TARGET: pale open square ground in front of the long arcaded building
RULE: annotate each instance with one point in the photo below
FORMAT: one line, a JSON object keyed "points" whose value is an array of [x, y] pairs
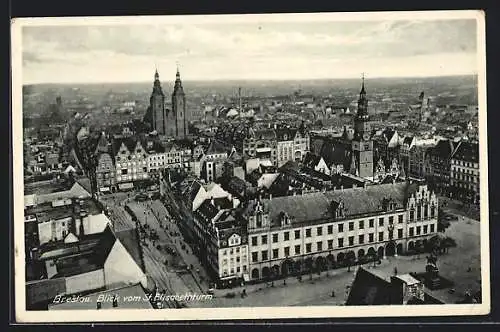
{"points": [[462, 265]]}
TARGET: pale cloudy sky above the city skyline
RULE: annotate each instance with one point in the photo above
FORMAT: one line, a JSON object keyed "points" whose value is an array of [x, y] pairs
{"points": [[248, 50]]}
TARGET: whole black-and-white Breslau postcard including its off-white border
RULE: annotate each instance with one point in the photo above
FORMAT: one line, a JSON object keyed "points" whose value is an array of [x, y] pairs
{"points": [[226, 167]]}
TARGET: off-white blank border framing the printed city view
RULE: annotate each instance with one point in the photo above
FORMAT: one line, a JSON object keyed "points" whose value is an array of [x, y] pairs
{"points": [[192, 314]]}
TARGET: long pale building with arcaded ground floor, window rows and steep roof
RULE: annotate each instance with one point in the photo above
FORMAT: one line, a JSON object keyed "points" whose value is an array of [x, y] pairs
{"points": [[294, 234]]}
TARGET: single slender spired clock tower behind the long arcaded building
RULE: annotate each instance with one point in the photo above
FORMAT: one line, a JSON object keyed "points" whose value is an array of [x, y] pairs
{"points": [[362, 145]]}
